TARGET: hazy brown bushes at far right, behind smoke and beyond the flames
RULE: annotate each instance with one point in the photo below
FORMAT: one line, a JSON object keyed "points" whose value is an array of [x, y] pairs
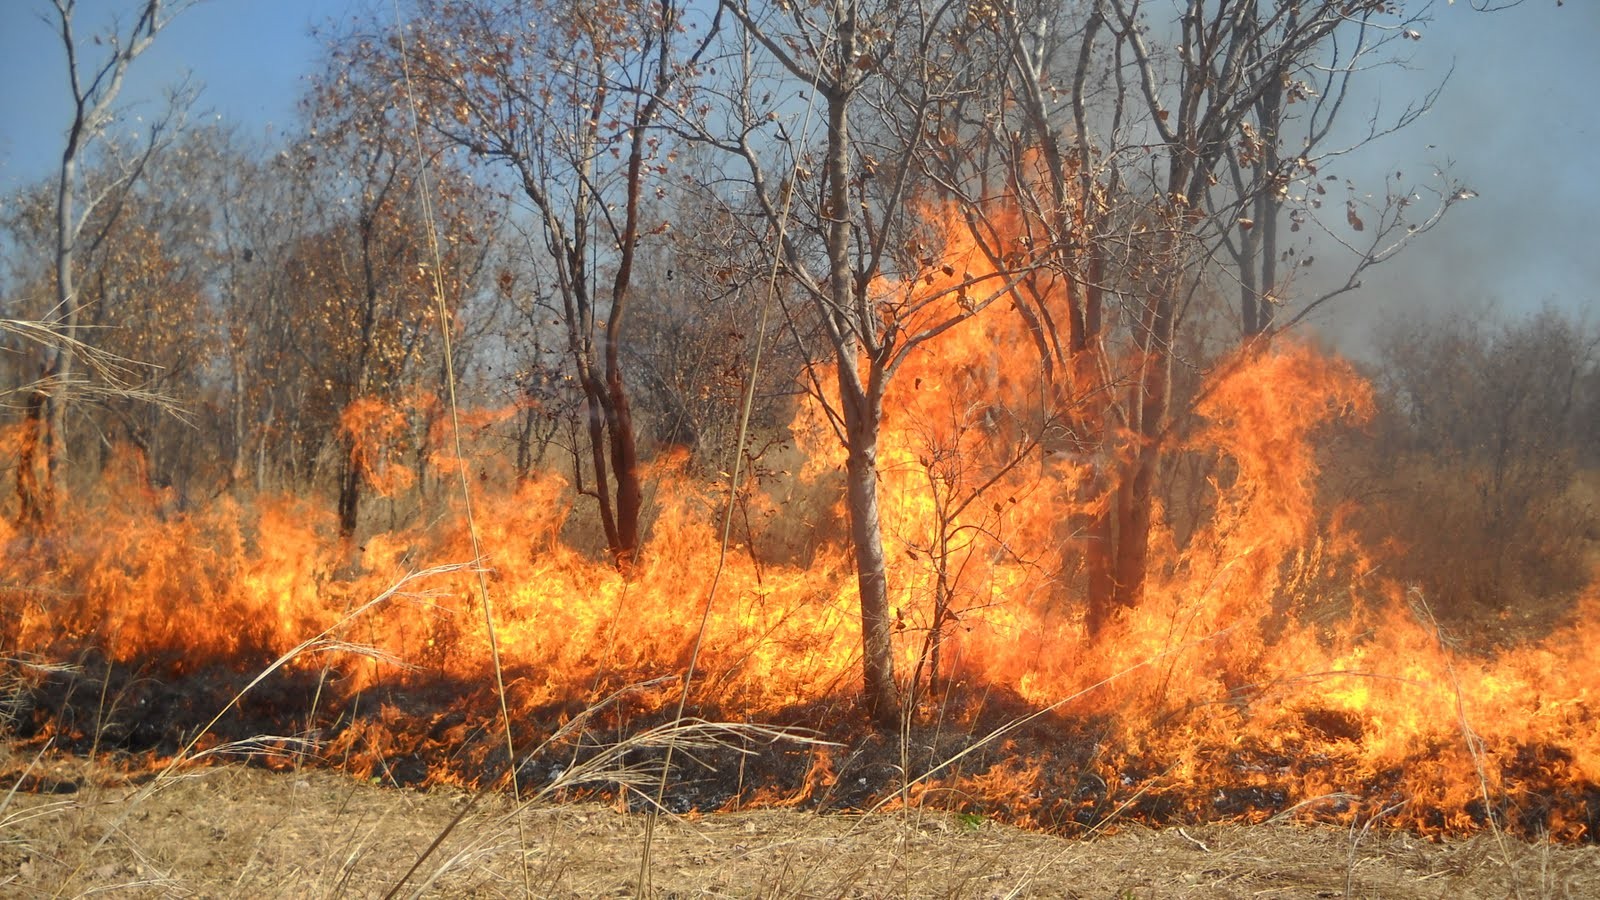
{"points": [[1484, 435]]}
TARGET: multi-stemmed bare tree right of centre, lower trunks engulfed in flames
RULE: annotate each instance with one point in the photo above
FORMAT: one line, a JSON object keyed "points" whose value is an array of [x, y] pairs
{"points": [[1134, 151]]}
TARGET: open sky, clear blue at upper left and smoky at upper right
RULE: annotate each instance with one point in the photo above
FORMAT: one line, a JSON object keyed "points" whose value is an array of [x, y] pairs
{"points": [[1518, 124]]}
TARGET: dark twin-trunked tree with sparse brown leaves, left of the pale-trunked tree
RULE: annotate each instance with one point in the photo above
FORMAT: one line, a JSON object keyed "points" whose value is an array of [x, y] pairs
{"points": [[567, 98]]}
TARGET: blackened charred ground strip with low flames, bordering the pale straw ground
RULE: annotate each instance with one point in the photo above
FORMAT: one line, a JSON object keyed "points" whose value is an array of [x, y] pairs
{"points": [[1054, 773]]}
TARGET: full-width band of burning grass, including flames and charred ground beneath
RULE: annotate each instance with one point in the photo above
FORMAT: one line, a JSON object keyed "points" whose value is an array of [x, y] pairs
{"points": [[1270, 673]]}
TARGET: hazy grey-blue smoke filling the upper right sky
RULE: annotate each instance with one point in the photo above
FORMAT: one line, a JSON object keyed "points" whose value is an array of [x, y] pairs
{"points": [[1516, 124]]}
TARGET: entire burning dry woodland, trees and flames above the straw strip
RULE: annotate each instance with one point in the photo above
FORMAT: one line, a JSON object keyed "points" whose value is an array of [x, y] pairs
{"points": [[831, 404]]}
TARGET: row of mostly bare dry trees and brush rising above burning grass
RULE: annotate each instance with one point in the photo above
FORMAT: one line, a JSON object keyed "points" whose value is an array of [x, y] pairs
{"points": [[606, 212]]}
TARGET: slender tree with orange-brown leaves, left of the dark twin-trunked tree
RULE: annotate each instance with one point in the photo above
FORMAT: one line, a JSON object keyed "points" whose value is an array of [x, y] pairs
{"points": [[369, 273]]}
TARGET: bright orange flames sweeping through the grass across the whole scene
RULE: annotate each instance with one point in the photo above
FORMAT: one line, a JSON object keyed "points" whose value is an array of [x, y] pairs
{"points": [[1268, 665]]}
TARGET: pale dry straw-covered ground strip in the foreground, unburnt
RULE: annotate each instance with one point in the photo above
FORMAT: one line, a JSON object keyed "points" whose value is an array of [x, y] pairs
{"points": [[70, 829]]}
